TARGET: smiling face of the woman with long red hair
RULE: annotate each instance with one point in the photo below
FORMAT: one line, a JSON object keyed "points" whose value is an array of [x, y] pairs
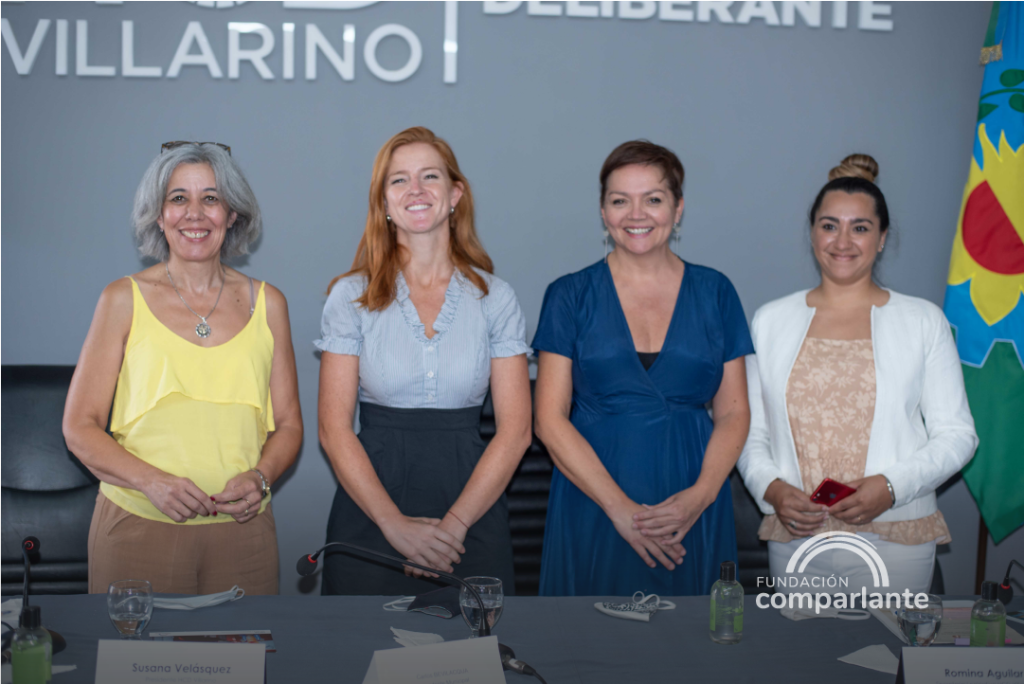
{"points": [[418, 193]]}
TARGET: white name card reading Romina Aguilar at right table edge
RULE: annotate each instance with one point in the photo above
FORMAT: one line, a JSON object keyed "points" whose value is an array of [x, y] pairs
{"points": [[959, 665]]}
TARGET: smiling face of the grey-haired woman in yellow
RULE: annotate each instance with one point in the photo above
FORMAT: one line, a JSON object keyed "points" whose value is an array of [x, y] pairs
{"points": [[195, 219]]}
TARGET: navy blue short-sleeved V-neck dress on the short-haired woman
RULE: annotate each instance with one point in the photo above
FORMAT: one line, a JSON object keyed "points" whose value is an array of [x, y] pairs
{"points": [[650, 429]]}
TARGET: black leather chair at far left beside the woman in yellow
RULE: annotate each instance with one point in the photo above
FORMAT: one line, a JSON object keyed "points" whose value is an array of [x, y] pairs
{"points": [[47, 492]]}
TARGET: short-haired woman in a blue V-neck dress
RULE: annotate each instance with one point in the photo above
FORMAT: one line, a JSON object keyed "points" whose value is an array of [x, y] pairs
{"points": [[632, 350]]}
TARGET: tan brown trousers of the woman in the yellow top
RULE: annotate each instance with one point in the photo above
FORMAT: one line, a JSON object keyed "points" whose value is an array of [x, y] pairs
{"points": [[180, 559]]}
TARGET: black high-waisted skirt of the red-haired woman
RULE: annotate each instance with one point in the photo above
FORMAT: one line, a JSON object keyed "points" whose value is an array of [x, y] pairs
{"points": [[424, 458]]}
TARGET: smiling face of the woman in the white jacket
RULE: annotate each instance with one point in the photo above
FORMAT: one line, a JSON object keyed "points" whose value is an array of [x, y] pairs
{"points": [[847, 237]]}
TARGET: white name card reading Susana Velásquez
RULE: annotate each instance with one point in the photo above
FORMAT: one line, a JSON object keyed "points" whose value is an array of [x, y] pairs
{"points": [[179, 663]]}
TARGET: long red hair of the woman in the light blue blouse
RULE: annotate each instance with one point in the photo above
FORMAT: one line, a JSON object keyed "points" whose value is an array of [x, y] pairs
{"points": [[378, 258]]}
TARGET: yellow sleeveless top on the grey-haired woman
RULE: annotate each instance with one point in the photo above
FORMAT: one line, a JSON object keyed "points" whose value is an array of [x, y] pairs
{"points": [[201, 413]]}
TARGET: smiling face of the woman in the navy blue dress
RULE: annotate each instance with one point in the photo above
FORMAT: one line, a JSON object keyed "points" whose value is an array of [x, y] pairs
{"points": [[639, 209]]}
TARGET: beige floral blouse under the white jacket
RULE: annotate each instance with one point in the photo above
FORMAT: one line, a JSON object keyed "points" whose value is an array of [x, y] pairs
{"points": [[831, 400]]}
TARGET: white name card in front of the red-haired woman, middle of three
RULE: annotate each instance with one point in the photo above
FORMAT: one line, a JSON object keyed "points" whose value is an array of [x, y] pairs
{"points": [[466, 662]]}
